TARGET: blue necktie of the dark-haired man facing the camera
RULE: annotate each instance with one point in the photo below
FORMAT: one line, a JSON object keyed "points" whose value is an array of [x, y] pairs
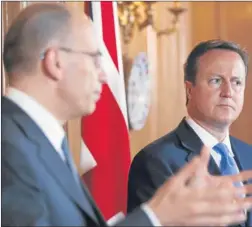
{"points": [[227, 165]]}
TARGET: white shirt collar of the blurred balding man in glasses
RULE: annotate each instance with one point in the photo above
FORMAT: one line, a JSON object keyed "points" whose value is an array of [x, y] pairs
{"points": [[42, 117]]}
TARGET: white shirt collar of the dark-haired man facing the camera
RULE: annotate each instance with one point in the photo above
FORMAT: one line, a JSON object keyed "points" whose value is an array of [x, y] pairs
{"points": [[207, 138]]}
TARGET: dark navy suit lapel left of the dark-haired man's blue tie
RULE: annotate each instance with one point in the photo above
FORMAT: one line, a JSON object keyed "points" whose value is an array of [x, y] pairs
{"points": [[193, 145]]}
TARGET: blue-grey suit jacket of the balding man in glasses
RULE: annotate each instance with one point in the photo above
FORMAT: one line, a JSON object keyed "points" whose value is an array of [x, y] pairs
{"points": [[37, 187]]}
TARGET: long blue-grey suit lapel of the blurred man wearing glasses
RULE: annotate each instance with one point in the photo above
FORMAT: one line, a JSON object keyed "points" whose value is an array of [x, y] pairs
{"points": [[49, 156]]}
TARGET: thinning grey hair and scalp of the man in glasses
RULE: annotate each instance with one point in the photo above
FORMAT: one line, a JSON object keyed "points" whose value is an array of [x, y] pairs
{"points": [[31, 32]]}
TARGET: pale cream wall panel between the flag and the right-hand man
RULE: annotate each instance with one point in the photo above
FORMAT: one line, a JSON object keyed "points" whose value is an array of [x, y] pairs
{"points": [[168, 97]]}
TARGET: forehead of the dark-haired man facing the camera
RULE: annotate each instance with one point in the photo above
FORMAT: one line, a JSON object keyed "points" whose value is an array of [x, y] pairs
{"points": [[221, 60]]}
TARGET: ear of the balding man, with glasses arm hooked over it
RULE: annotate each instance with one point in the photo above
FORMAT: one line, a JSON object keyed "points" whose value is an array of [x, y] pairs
{"points": [[51, 64]]}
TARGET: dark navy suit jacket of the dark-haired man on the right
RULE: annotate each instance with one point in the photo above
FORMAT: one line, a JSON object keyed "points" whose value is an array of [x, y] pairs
{"points": [[164, 157]]}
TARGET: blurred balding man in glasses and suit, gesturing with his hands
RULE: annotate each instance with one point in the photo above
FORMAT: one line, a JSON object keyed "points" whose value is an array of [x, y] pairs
{"points": [[52, 60]]}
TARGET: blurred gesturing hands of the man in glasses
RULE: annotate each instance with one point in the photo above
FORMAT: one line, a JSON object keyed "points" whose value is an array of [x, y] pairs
{"points": [[195, 198]]}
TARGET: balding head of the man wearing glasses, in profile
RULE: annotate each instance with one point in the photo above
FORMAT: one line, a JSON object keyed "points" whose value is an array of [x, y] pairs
{"points": [[52, 54]]}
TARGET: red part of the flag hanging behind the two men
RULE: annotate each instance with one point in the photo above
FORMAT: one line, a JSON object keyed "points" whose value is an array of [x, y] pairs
{"points": [[106, 135]]}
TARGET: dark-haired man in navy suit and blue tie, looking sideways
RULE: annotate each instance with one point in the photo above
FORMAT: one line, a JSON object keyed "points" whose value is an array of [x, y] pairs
{"points": [[215, 76]]}
